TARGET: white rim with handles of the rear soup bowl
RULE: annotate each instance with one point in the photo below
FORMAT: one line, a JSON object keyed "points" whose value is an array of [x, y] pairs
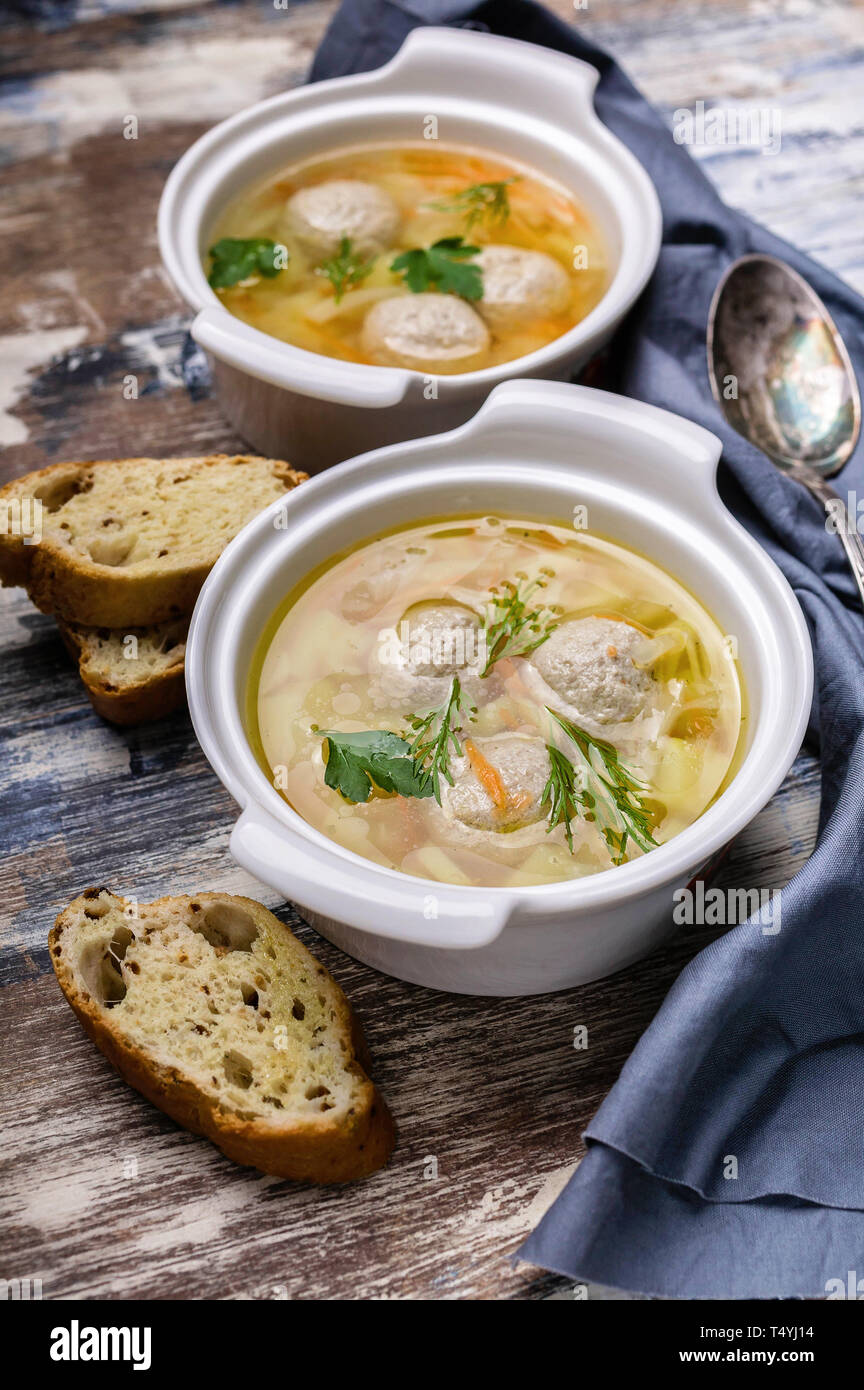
{"points": [[208, 162]]}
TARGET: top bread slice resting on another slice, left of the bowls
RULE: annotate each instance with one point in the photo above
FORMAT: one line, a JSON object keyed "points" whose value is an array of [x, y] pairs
{"points": [[128, 543]]}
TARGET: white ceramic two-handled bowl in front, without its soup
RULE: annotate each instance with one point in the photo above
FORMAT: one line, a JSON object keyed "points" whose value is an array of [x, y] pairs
{"points": [[535, 448]]}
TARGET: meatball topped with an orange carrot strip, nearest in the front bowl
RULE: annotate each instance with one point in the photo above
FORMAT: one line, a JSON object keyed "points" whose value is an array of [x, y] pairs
{"points": [[520, 768]]}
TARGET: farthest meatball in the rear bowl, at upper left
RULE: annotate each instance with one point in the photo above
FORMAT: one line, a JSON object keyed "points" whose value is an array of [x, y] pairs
{"points": [[323, 215]]}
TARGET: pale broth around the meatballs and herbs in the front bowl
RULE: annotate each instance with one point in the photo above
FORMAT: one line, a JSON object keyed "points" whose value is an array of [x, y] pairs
{"points": [[316, 669]]}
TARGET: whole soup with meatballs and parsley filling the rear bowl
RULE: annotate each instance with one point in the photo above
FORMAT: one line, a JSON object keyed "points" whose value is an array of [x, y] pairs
{"points": [[416, 255]]}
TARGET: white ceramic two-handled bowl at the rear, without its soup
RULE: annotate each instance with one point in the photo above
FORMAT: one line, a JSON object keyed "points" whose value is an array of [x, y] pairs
{"points": [[529, 104]]}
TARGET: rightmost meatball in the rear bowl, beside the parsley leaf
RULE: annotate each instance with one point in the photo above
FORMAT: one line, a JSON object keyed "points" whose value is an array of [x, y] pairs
{"points": [[520, 286]]}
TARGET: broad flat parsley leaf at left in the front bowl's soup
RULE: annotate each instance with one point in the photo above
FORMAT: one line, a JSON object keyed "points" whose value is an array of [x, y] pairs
{"points": [[358, 764]]}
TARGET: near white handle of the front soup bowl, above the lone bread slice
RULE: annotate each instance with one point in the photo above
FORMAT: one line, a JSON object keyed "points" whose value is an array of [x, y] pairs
{"points": [[385, 904]]}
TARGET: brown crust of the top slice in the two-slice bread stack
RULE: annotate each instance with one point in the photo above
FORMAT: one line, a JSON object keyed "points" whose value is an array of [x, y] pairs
{"points": [[73, 586]]}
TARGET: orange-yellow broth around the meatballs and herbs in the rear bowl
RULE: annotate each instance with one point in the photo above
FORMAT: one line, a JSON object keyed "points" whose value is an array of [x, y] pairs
{"points": [[299, 305]]}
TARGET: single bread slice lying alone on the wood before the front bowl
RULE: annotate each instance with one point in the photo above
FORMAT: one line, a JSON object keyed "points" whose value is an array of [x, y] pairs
{"points": [[219, 1015]]}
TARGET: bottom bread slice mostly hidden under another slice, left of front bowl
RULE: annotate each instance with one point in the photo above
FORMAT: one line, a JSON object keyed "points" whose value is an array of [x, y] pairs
{"points": [[131, 678]]}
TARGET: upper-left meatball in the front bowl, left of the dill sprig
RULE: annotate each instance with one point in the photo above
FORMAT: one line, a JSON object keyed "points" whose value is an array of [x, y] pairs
{"points": [[435, 643]]}
